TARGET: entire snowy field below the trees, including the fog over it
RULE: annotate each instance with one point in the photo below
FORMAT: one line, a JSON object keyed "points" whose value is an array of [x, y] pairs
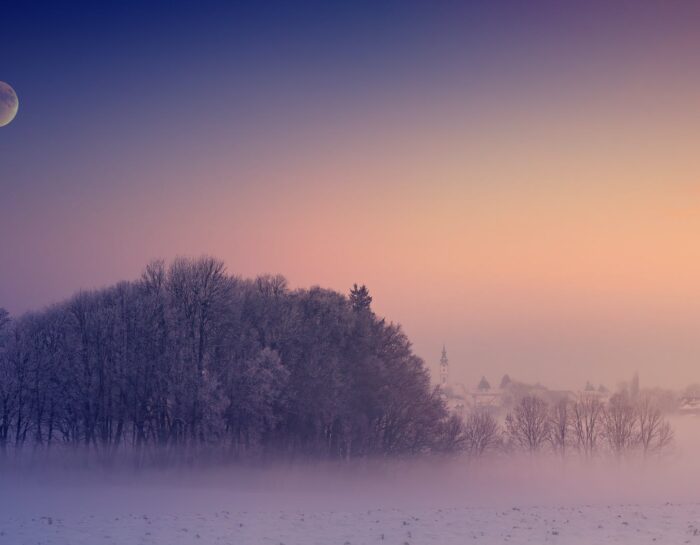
{"points": [[434, 502]]}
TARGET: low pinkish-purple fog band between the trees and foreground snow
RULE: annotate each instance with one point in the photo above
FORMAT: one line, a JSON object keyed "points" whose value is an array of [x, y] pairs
{"points": [[429, 483]]}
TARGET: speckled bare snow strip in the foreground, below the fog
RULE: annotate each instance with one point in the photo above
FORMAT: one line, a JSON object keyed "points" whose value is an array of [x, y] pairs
{"points": [[626, 524]]}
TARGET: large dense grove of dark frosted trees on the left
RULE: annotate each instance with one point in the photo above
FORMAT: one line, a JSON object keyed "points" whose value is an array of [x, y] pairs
{"points": [[189, 358]]}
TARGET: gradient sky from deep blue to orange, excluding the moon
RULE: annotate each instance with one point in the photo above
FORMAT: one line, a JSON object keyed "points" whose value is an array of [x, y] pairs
{"points": [[518, 181]]}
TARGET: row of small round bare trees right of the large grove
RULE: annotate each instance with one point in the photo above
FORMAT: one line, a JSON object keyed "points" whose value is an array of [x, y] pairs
{"points": [[587, 426]]}
